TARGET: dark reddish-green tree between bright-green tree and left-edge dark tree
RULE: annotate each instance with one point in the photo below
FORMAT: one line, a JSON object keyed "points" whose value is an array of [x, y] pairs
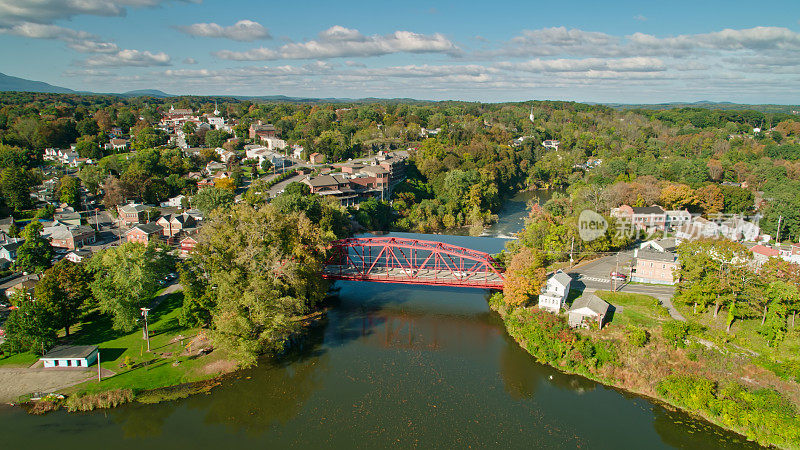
{"points": [[63, 291]]}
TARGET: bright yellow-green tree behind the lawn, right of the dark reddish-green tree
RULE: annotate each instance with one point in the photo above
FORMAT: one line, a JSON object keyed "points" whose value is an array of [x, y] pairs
{"points": [[127, 278]]}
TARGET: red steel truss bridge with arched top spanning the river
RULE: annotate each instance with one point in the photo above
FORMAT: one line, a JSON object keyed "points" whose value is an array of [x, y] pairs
{"points": [[411, 261]]}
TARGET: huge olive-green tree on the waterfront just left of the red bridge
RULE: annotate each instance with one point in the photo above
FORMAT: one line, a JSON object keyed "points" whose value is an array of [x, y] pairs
{"points": [[264, 268]]}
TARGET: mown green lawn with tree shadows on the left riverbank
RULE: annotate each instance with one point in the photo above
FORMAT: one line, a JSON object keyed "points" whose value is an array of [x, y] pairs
{"points": [[179, 356]]}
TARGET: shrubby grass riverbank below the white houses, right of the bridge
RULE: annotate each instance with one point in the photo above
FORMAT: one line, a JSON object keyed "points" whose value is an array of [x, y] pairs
{"points": [[687, 366]]}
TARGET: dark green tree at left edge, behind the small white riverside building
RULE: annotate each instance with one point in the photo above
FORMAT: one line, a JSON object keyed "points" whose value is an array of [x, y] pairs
{"points": [[29, 327]]}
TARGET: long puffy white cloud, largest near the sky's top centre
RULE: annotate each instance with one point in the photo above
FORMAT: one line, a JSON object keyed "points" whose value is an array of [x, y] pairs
{"points": [[339, 41]]}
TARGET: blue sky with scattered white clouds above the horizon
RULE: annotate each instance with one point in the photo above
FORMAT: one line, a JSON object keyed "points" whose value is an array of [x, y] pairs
{"points": [[620, 51]]}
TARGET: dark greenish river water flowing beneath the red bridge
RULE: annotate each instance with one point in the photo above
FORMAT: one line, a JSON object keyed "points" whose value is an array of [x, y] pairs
{"points": [[392, 365]]}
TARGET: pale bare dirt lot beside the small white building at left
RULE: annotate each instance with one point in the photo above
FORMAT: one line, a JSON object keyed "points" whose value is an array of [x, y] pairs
{"points": [[15, 382]]}
